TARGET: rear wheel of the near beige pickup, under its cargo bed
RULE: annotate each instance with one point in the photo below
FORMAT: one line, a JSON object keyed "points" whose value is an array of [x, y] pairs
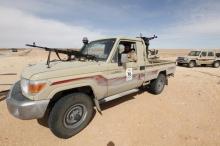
{"points": [[157, 85]]}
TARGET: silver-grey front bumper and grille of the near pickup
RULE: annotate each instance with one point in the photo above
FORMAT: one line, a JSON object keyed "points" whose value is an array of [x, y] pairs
{"points": [[22, 107]]}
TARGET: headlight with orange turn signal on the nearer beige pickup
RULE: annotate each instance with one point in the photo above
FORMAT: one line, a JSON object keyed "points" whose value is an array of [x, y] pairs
{"points": [[29, 87]]}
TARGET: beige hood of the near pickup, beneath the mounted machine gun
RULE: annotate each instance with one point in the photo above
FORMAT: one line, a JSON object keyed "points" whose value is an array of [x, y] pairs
{"points": [[60, 69]]}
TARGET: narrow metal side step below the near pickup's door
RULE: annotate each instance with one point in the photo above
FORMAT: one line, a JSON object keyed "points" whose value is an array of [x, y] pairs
{"points": [[118, 95]]}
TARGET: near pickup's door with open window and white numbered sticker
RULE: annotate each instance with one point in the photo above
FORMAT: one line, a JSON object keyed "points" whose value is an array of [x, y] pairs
{"points": [[126, 75]]}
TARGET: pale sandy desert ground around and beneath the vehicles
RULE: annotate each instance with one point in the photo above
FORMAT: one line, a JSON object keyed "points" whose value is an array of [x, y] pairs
{"points": [[186, 113]]}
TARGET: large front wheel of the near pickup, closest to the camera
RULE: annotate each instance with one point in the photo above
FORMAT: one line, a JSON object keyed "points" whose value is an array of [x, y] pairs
{"points": [[71, 114]]}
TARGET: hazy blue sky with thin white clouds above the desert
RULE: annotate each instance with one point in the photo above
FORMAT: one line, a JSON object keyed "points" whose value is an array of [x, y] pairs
{"points": [[56, 23]]}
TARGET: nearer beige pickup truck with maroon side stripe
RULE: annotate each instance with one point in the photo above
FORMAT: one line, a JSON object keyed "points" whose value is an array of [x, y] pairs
{"points": [[65, 92]]}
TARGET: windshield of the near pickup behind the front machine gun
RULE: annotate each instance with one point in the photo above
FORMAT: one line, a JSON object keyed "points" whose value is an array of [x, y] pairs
{"points": [[100, 49]]}
